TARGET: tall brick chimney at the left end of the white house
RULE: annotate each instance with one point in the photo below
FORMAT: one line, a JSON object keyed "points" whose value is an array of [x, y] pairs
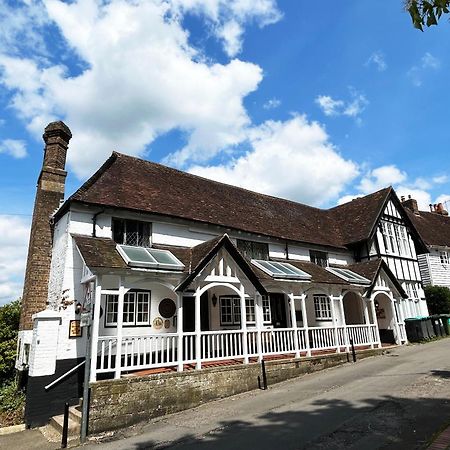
{"points": [[49, 194]]}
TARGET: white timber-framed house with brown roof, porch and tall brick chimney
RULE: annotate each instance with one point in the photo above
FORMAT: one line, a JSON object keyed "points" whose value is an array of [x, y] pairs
{"points": [[168, 269]]}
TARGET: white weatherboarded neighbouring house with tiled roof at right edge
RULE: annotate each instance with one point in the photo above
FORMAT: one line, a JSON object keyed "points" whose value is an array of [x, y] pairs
{"points": [[434, 228]]}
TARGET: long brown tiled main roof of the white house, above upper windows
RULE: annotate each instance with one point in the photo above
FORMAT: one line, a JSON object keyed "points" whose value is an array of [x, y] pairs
{"points": [[135, 184]]}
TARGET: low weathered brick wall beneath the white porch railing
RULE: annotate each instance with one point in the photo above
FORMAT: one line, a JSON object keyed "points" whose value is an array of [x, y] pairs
{"points": [[121, 403]]}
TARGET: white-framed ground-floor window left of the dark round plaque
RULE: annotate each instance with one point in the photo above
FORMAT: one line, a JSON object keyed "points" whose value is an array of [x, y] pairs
{"points": [[136, 308]]}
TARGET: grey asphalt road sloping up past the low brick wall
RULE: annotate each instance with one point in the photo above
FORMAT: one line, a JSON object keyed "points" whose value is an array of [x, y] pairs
{"points": [[396, 401]]}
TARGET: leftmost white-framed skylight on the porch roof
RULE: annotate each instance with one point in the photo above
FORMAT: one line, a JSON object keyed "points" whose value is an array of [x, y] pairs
{"points": [[149, 257]]}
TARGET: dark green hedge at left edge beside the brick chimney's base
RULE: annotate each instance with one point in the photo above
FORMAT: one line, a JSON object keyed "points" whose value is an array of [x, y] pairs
{"points": [[9, 328]]}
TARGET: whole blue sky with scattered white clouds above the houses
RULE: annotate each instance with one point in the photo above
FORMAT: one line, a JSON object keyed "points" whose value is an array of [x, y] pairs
{"points": [[317, 102]]}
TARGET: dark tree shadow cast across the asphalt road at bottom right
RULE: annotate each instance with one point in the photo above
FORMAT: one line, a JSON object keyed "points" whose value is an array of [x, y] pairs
{"points": [[386, 422]]}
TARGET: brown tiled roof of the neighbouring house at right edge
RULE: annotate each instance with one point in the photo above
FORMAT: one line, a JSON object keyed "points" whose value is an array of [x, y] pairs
{"points": [[433, 228]]}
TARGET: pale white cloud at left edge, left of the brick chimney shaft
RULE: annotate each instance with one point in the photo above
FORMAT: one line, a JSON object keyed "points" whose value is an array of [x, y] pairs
{"points": [[14, 233]]}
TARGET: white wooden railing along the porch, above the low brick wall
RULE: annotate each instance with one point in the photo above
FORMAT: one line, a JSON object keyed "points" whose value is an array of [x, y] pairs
{"points": [[161, 350]]}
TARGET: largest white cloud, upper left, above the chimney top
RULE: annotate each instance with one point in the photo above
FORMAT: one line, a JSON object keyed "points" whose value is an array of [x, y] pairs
{"points": [[137, 56]]}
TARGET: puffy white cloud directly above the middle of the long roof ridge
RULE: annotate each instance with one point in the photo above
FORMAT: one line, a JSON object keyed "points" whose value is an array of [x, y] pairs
{"points": [[292, 159]]}
